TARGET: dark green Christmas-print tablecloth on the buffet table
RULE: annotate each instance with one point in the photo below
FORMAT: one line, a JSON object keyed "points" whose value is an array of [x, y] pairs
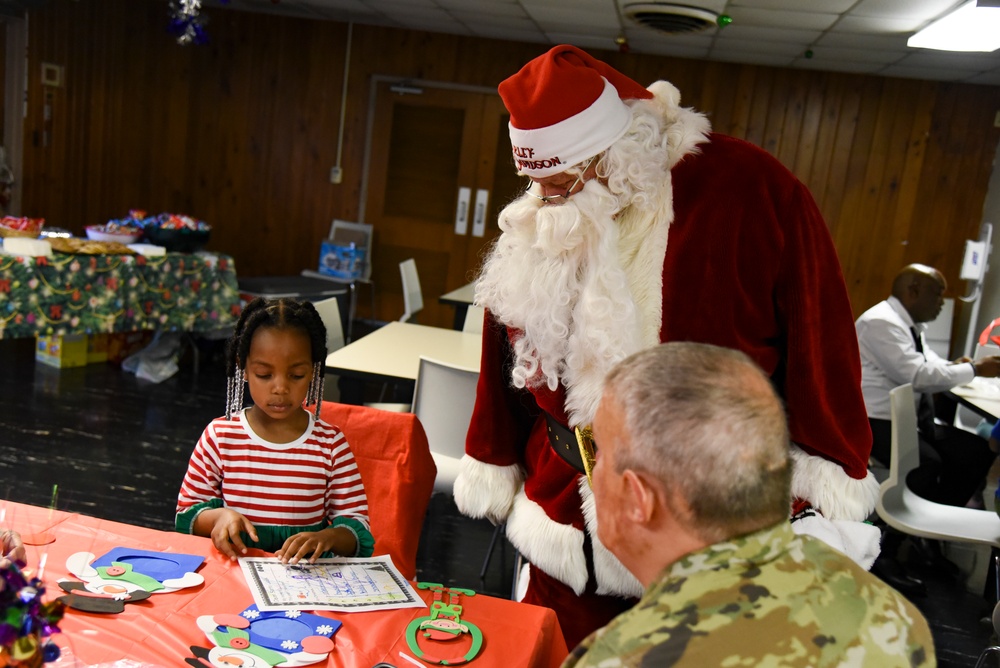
{"points": [[86, 294]]}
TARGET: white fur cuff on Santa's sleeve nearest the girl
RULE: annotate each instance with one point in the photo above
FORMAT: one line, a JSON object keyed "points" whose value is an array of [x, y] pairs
{"points": [[486, 490]]}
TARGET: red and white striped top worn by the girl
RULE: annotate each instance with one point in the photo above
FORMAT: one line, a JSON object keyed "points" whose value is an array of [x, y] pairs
{"points": [[300, 483]]}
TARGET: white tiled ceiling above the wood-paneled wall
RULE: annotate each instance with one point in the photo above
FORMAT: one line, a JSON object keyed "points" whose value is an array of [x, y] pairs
{"points": [[844, 35]]}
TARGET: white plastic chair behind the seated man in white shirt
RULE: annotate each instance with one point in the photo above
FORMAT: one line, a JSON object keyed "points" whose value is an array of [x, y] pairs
{"points": [[903, 510]]}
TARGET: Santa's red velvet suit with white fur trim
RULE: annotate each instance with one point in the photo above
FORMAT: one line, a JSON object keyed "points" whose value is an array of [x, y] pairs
{"points": [[749, 265]]}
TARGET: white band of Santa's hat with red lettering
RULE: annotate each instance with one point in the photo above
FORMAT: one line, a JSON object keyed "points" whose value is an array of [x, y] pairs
{"points": [[541, 152]]}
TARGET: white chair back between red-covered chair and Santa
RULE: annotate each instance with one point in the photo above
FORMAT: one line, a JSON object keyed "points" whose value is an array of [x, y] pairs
{"points": [[443, 400]]}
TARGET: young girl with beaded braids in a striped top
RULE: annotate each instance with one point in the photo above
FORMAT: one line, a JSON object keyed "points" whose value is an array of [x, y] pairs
{"points": [[275, 476]]}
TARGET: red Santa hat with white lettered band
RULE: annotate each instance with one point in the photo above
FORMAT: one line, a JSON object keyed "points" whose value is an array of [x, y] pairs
{"points": [[565, 107]]}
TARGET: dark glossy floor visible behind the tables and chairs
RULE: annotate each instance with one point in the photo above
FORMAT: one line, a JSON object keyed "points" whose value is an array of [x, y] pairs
{"points": [[117, 448]]}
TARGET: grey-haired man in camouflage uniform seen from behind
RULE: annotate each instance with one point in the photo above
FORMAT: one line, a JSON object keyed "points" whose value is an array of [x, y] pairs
{"points": [[703, 525]]}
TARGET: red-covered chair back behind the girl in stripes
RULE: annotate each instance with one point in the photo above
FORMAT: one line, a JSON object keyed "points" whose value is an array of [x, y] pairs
{"points": [[398, 473]]}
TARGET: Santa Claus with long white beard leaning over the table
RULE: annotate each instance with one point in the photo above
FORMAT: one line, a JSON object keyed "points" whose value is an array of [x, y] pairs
{"points": [[641, 226]]}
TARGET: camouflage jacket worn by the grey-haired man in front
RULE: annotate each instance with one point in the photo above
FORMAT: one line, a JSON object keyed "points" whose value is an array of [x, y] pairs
{"points": [[770, 598]]}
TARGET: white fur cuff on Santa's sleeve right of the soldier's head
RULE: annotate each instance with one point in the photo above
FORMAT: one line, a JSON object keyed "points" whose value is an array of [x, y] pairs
{"points": [[830, 490]]}
